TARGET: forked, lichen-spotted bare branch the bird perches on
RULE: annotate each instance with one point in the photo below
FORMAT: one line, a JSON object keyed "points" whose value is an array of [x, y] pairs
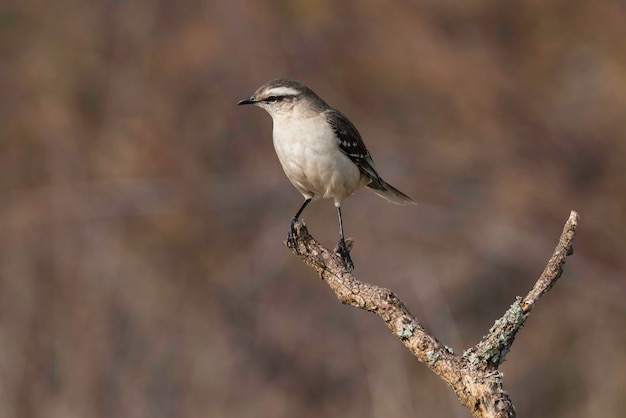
{"points": [[473, 376]]}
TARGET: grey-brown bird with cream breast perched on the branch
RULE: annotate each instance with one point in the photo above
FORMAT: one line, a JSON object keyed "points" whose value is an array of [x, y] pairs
{"points": [[320, 150]]}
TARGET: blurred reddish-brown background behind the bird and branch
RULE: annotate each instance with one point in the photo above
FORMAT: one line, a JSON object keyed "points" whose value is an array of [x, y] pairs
{"points": [[142, 213]]}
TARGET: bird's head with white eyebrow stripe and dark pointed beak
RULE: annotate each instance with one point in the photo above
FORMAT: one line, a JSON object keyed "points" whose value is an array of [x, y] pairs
{"points": [[283, 97]]}
